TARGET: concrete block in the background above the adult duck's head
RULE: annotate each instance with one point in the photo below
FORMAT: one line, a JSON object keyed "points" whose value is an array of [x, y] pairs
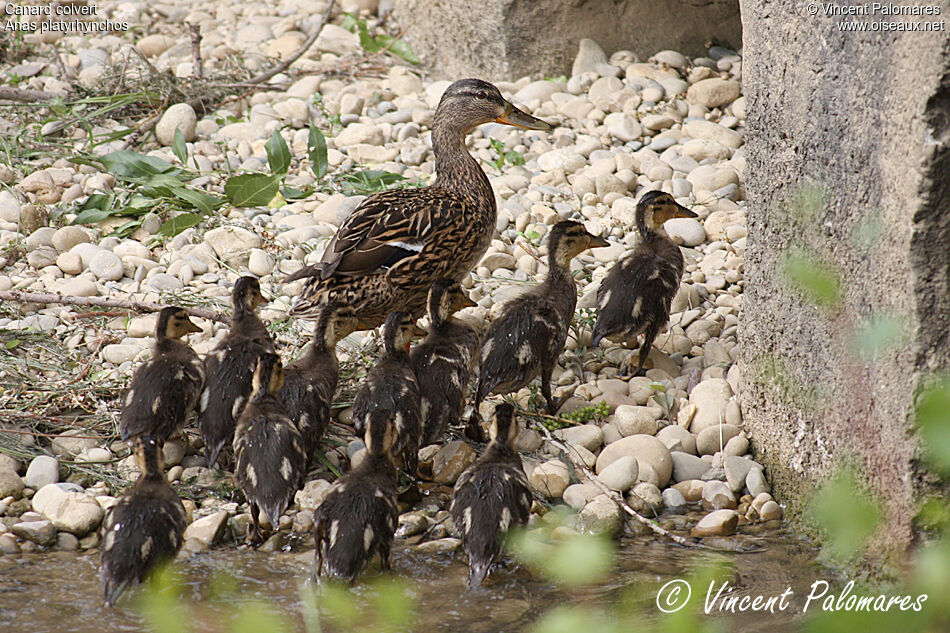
{"points": [[507, 39]]}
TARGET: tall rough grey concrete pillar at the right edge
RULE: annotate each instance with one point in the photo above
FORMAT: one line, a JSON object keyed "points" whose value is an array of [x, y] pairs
{"points": [[856, 128]]}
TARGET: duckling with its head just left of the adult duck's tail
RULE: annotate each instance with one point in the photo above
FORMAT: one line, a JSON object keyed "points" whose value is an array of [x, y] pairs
{"points": [[229, 367]]}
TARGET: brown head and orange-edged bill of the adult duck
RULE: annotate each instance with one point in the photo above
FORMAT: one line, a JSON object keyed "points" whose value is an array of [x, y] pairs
{"points": [[468, 103]]}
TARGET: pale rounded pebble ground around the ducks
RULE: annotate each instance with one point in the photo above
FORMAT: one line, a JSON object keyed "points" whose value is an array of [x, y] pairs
{"points": [[672, 442]]}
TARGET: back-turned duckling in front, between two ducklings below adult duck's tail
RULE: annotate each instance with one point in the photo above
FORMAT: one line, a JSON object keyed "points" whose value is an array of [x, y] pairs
{"points": [[269, 451]]}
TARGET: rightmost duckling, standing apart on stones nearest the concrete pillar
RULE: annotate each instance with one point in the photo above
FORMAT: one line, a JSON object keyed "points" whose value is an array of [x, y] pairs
{"points": [[636, 294]]}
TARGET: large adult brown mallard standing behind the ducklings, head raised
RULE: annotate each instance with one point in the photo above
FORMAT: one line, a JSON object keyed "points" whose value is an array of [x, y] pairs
{"points": [[396, 244]]}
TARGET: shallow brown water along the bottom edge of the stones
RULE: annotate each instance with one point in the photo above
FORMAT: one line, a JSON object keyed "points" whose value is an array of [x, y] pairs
{"points": [[60, 591]]}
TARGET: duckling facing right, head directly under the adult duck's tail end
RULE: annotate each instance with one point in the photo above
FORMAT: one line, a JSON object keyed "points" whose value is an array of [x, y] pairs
{"points": [[310, 381]]}
